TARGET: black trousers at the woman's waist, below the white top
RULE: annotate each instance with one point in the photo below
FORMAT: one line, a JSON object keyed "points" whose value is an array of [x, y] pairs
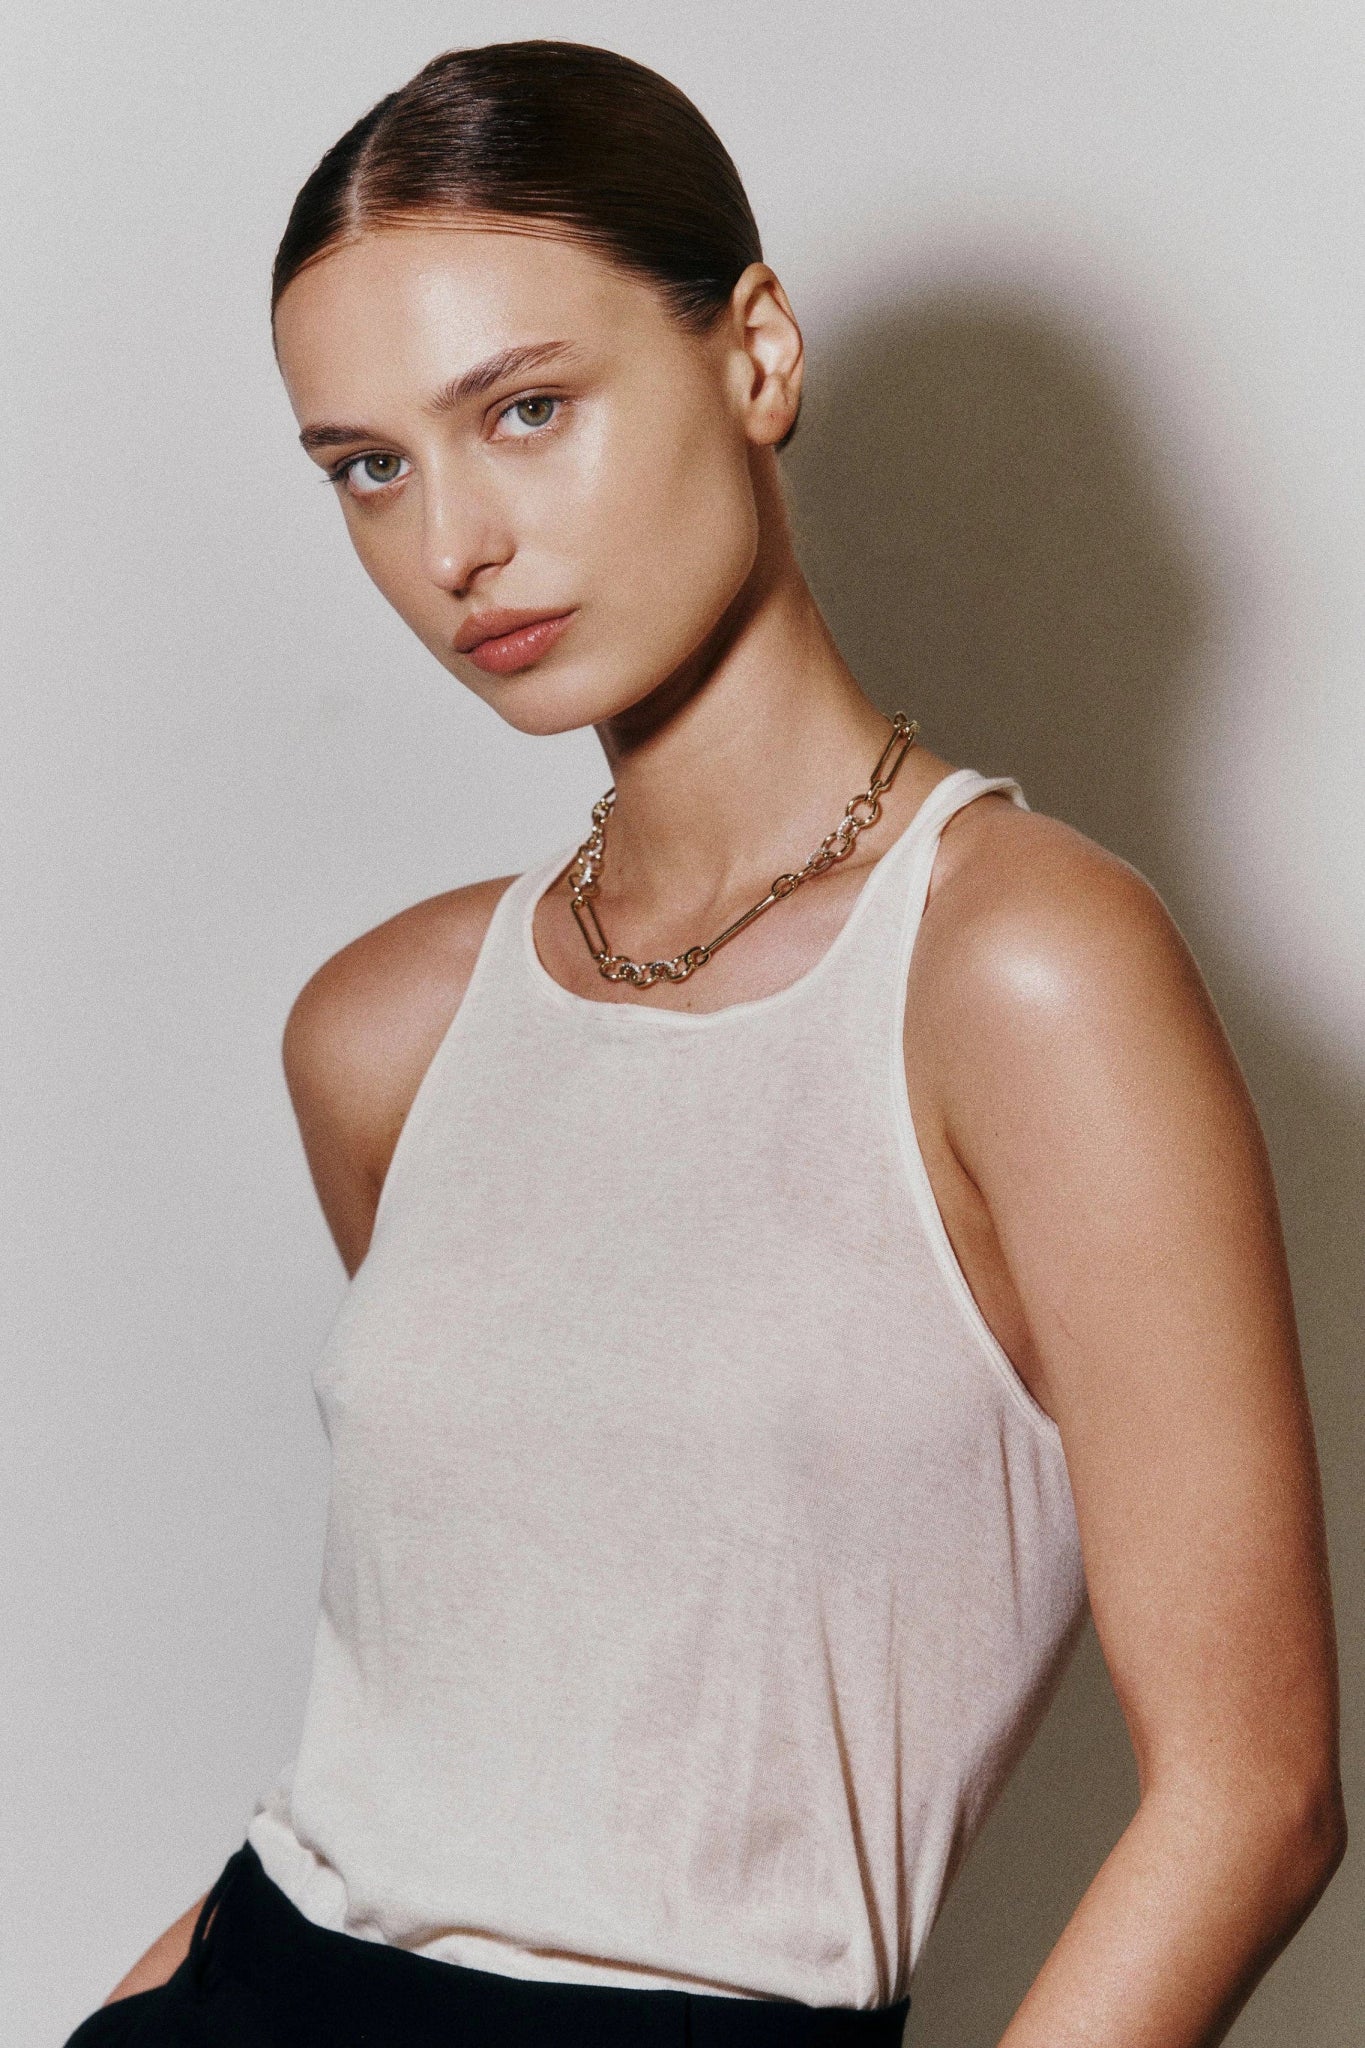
{"points": [[261, 1975]]}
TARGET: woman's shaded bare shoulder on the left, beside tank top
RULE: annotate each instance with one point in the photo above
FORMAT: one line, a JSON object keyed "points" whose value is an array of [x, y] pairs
{"points": [[359, 1039]]}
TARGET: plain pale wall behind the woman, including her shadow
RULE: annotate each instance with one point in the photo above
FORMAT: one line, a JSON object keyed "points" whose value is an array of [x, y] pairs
{"points": [[1082, 486]]}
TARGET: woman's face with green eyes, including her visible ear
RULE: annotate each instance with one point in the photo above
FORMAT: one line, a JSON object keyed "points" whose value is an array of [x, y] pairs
{"points": [[543, 472]]}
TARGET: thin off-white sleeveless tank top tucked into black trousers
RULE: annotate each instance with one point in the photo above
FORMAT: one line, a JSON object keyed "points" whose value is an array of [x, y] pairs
{"points": [[697, 1564]]}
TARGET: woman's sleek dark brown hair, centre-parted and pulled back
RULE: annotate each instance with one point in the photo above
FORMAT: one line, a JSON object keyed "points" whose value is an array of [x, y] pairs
{"points": [[580, 140]]}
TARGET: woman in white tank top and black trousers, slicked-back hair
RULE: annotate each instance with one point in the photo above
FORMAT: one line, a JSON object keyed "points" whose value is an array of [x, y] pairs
{"points": [[779, 1306]]}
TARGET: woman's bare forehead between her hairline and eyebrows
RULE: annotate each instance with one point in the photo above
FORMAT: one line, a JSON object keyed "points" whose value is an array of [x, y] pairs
{"points": [[414, 306]]}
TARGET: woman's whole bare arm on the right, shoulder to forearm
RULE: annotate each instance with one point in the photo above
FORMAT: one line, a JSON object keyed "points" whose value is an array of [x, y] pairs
{"points": [[1090, 1095]]}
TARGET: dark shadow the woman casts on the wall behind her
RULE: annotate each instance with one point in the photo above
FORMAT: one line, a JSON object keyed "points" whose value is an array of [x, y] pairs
{"points": [[996, 554]]}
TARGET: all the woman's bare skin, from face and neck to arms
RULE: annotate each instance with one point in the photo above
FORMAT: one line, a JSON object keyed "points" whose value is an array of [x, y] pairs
{"points": [[1088, 1132]]}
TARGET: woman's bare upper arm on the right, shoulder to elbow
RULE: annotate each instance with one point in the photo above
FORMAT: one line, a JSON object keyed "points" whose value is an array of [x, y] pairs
{"points": [[1092, 1097]]}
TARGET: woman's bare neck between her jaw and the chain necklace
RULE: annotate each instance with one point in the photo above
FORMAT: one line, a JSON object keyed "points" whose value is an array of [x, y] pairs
{"points": [[730, 769]]}
